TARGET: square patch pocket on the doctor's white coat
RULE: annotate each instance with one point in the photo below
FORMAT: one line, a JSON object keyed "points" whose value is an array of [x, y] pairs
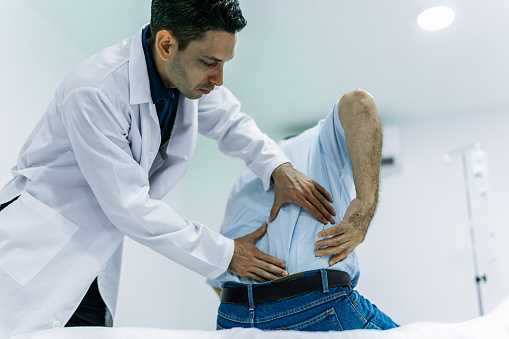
{"points": [[31, 234]]}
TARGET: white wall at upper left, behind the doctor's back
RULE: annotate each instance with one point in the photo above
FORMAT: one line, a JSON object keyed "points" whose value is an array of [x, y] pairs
{"points": [[34, 57]]}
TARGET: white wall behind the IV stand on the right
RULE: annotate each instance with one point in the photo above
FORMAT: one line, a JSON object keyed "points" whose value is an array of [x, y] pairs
{"points": [[417, 261]]}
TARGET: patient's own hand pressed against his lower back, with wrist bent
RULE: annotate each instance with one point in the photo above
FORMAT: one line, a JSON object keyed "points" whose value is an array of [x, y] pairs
{"points": [[349, 233]]}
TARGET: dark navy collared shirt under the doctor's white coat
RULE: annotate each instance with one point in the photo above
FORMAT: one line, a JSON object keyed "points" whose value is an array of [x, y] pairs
{"points": [[165, 99]]}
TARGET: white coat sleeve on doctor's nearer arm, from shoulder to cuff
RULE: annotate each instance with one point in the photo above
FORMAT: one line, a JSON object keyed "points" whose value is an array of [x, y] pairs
{"points": [[98, 131]]}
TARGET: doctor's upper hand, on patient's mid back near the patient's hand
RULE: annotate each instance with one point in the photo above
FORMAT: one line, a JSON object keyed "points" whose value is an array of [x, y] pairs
{"points": [[292, 186]]}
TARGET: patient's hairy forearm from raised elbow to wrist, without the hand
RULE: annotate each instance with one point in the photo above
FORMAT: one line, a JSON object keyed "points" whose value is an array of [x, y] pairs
{"points": [[363, 133]]}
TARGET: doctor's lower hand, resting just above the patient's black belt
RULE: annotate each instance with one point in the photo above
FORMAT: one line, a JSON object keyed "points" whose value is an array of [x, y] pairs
{"points": [[248, 261]]}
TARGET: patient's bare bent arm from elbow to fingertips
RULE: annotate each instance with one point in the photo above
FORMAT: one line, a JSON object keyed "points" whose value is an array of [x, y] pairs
{"points": [[363, 133]]}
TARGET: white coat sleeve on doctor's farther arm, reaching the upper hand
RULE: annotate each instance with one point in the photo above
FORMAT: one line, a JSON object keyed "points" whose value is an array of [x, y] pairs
{"points": [[220, 118]]}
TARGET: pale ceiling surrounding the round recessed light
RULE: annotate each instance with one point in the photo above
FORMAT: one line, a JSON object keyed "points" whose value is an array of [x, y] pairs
{"points": [[296, 57]]}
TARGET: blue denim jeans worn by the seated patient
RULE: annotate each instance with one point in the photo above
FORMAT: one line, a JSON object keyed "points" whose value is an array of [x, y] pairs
{"points": [[334, 309]]}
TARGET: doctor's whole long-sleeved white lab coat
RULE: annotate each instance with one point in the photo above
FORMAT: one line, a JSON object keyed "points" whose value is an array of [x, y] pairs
{"points": [[92, 171]]}
